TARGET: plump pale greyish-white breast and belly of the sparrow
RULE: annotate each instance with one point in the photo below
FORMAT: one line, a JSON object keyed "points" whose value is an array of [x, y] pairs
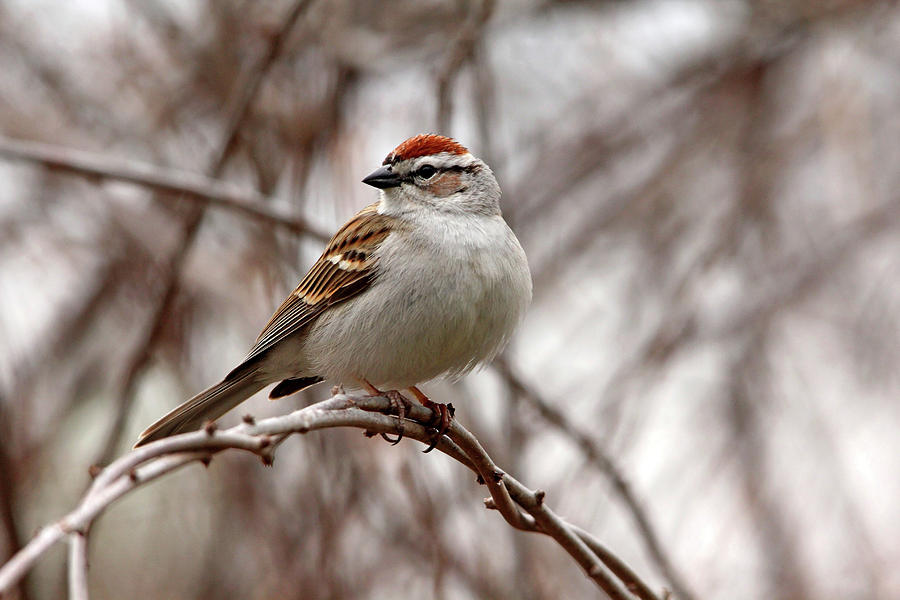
{"points": [[447, 297]]}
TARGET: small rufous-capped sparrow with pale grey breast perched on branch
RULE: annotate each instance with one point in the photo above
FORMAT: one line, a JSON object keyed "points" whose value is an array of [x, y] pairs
{"points": [[428, 281]]}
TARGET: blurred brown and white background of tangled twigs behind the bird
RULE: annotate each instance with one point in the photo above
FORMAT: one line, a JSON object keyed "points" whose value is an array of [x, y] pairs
{"points": [[707, 381]]}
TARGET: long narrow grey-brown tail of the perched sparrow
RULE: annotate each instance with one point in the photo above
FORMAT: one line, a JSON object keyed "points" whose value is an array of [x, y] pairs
{"points": [[208, 405]]}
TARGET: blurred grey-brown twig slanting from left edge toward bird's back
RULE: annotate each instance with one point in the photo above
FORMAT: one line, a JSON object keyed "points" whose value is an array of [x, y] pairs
{"points": [[173, 183]]}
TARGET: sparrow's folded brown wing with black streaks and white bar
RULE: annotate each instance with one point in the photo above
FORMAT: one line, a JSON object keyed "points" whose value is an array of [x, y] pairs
{"points": [[346, 268]]}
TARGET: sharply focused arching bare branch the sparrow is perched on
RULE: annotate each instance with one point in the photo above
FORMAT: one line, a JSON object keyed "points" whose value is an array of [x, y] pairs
{"points": [[522, 507]]}
